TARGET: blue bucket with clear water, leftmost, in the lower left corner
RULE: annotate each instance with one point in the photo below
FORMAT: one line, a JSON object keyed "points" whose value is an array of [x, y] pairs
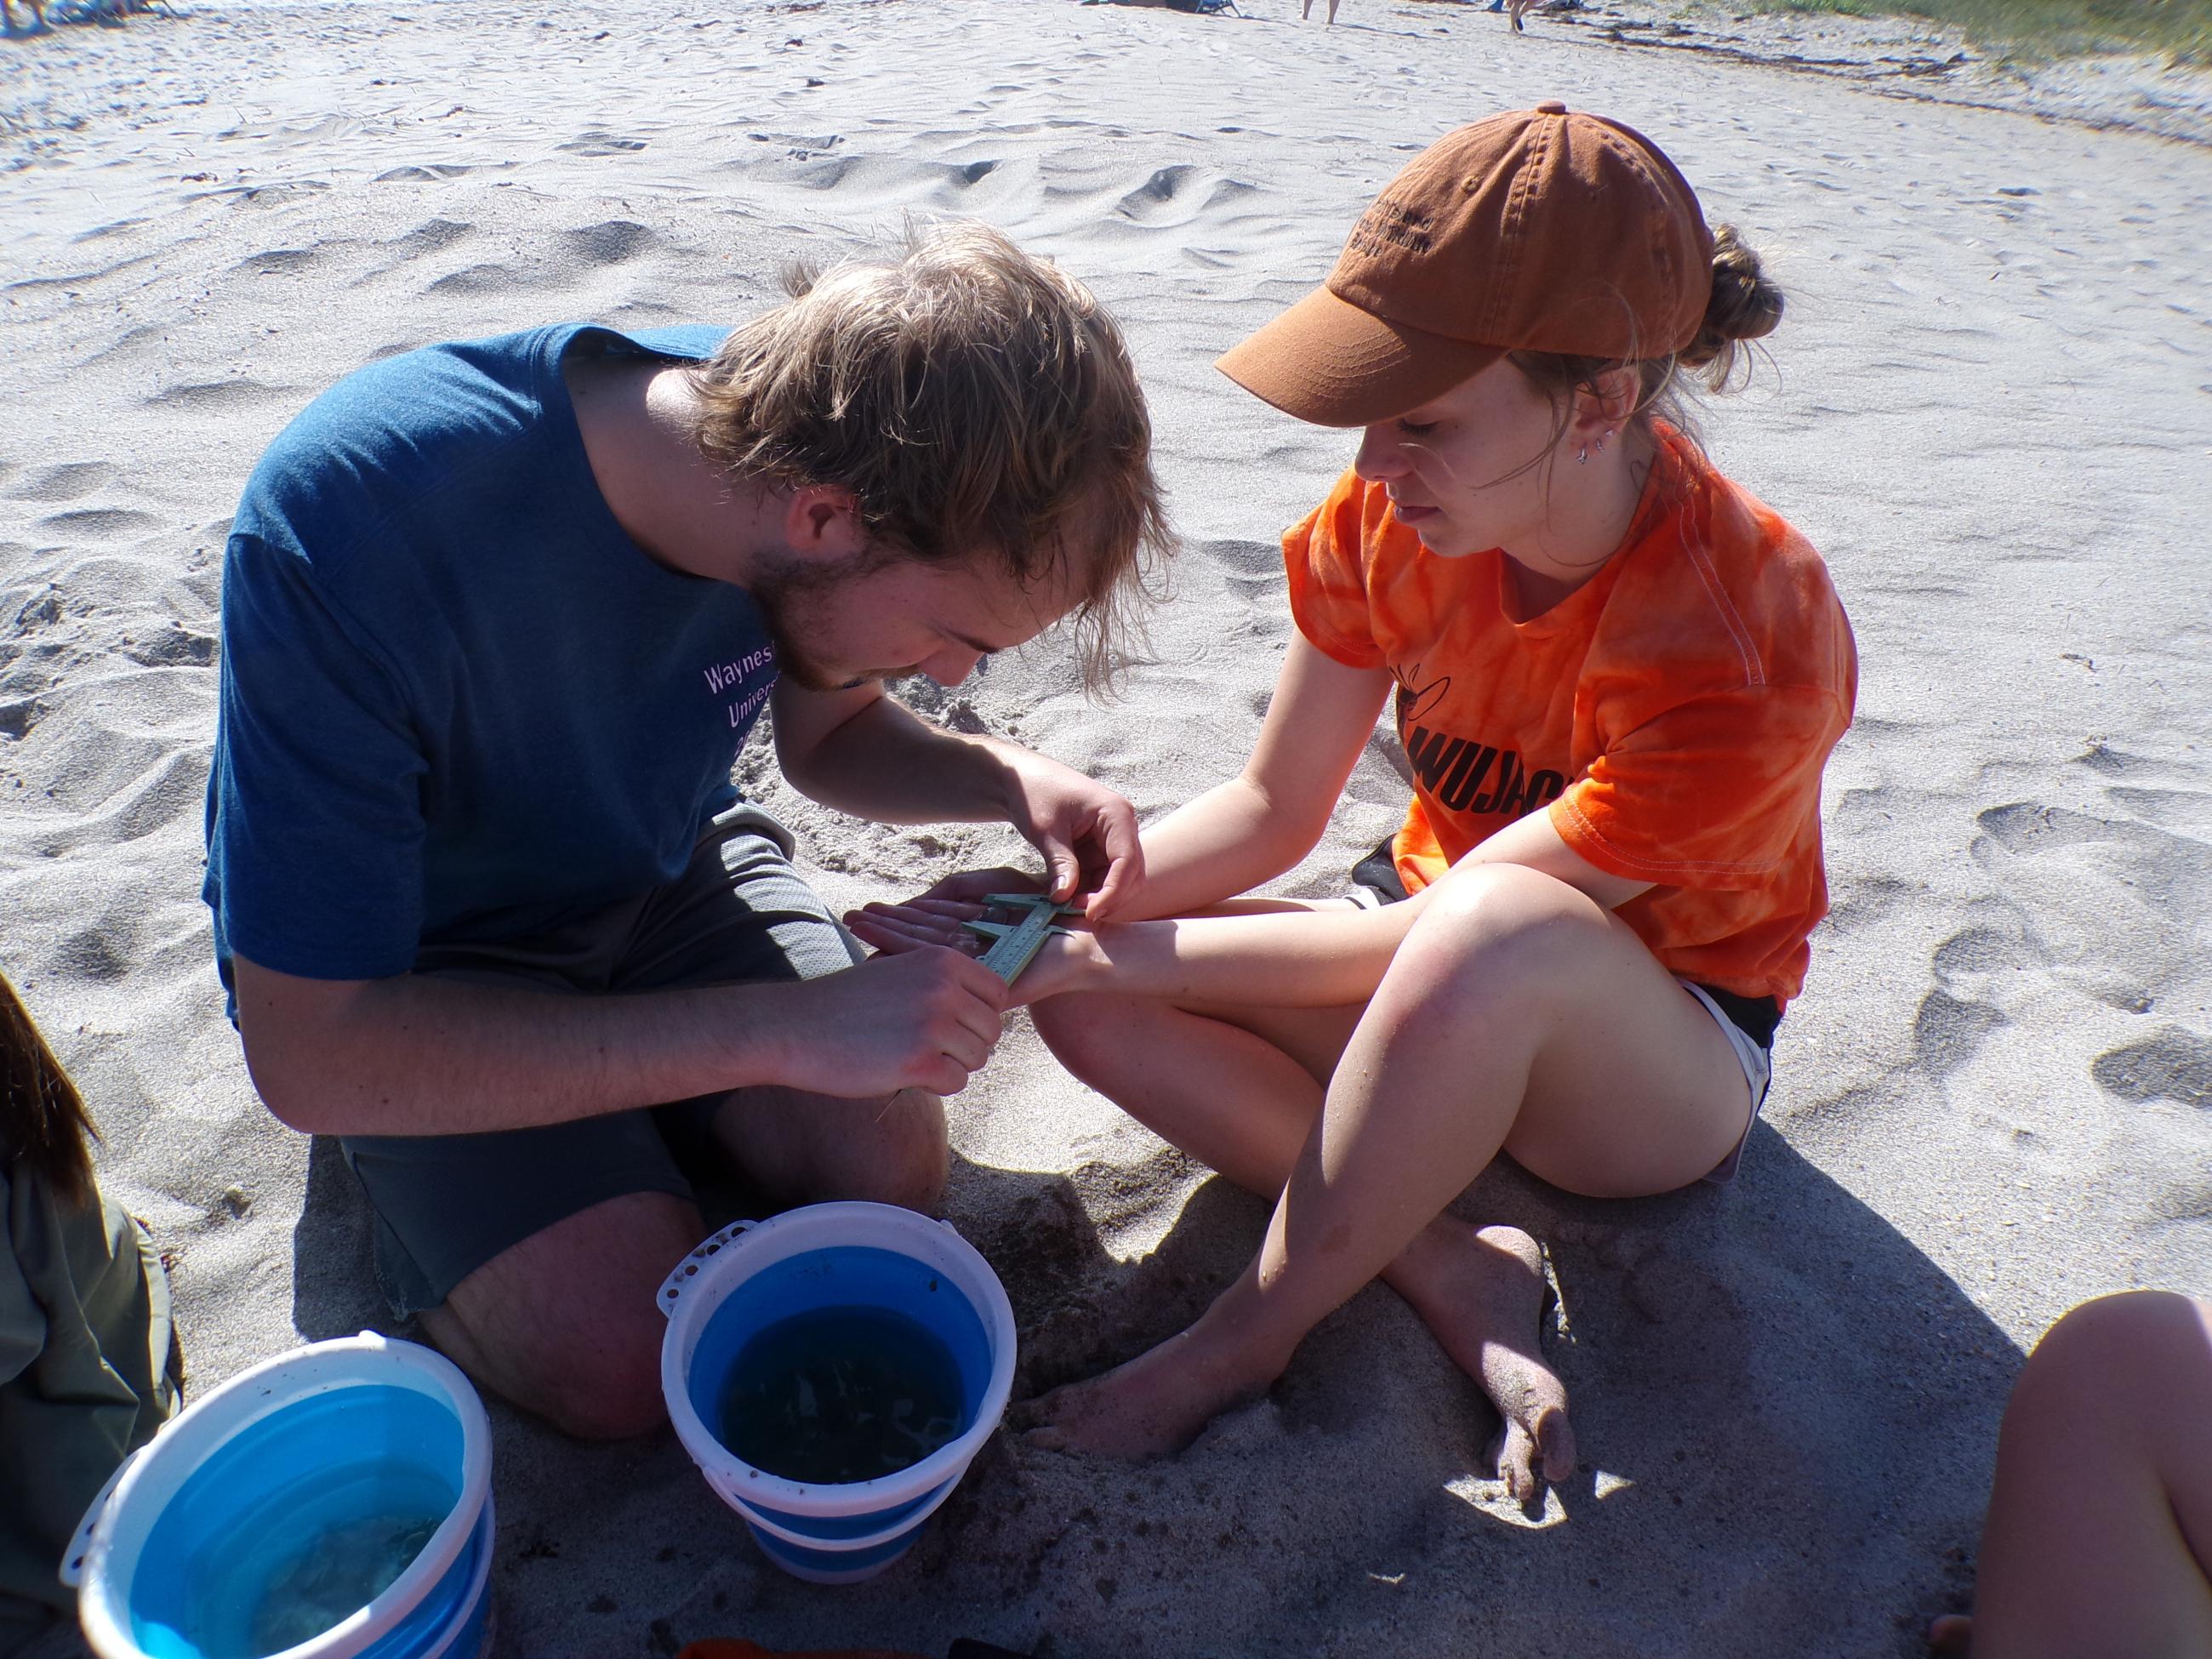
{"points": [[240, 1519]]}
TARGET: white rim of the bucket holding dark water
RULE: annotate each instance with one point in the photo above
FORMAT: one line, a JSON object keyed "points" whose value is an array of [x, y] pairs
{"points": [[696, 1288]]}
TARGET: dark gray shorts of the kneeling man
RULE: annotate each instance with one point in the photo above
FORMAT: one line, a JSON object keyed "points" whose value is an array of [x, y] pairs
{"points": [[448, 1204]]}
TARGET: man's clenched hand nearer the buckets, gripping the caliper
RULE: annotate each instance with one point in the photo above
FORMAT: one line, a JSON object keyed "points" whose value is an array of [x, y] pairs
{"points": [[924, 1019]]}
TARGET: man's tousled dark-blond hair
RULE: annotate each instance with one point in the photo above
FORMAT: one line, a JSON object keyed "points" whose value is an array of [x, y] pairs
{"points": [[974, 401]]}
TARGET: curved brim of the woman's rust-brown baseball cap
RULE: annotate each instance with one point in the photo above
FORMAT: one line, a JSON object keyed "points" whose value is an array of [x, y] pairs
{"points": [[1337, 366]]}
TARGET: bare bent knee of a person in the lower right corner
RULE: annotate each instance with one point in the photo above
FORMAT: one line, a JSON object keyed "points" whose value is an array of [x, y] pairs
{"points": [[2100, 1527]]}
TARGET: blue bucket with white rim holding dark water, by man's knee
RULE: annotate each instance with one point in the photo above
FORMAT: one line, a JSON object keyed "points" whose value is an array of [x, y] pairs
{"points": [[833, 1255]]}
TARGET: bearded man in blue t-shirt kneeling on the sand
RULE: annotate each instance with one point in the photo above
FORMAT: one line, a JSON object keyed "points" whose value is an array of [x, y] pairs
{"points": [[497, 620]]}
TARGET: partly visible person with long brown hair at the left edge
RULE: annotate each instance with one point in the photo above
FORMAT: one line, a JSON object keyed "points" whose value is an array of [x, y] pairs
{"points": [[87, 1348]]}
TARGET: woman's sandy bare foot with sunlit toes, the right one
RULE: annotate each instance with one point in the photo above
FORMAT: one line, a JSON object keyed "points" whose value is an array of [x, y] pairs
{"points": [[1481, 1293]]}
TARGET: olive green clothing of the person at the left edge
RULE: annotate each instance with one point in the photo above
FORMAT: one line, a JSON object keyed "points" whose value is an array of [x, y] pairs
{"points": [[85, 1344]]}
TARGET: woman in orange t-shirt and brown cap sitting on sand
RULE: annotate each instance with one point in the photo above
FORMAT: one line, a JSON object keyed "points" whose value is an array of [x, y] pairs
{"points": [[1616, 676]]}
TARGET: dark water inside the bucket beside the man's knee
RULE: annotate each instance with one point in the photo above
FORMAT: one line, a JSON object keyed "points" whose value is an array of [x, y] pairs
{"points": [[842, 1395]]}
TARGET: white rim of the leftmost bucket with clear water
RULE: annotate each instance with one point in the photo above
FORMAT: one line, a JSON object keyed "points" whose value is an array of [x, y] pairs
{"points": [[105, 1607]]}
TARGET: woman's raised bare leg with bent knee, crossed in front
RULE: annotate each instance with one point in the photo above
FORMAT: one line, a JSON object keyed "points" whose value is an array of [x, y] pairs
{"points": [[1519, 1014]]}
